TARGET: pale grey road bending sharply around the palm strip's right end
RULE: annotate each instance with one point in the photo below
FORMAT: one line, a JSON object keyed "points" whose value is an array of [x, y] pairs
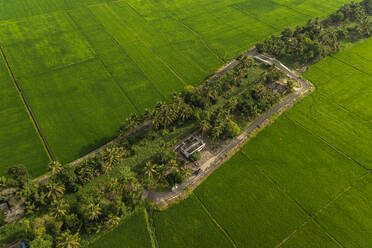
{"points": [[213, 163]]}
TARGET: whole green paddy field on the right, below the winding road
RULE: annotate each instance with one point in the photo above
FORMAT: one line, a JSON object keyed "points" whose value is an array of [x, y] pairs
{"points": [[304, 181]]}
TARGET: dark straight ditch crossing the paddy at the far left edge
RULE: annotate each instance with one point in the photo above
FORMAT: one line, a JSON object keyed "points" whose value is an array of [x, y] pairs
{"points": [[28, 107]]}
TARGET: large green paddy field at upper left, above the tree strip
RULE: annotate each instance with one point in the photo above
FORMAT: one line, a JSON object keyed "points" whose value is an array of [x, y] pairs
{"points": [[85, 65]]}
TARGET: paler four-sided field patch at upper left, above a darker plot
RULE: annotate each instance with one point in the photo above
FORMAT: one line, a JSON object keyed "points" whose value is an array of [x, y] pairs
{"points": [[41, 43]]}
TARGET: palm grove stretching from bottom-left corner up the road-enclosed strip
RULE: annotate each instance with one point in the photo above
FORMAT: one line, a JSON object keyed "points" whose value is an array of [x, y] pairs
{"points": [[64, 207]]}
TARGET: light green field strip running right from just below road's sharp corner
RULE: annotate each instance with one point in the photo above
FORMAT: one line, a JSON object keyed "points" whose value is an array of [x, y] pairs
{"points": [[336, 126]]}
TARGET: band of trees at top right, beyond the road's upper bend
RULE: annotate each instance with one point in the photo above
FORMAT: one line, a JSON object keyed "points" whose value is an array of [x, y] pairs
{"points": [[317, 39]]}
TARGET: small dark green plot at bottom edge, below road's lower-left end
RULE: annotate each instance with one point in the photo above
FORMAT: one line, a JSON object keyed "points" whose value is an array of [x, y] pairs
{"points": [[187, 225]]}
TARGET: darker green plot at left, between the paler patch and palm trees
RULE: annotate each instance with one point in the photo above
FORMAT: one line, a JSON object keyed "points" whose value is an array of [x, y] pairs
{"points": [[78, 107]]}
